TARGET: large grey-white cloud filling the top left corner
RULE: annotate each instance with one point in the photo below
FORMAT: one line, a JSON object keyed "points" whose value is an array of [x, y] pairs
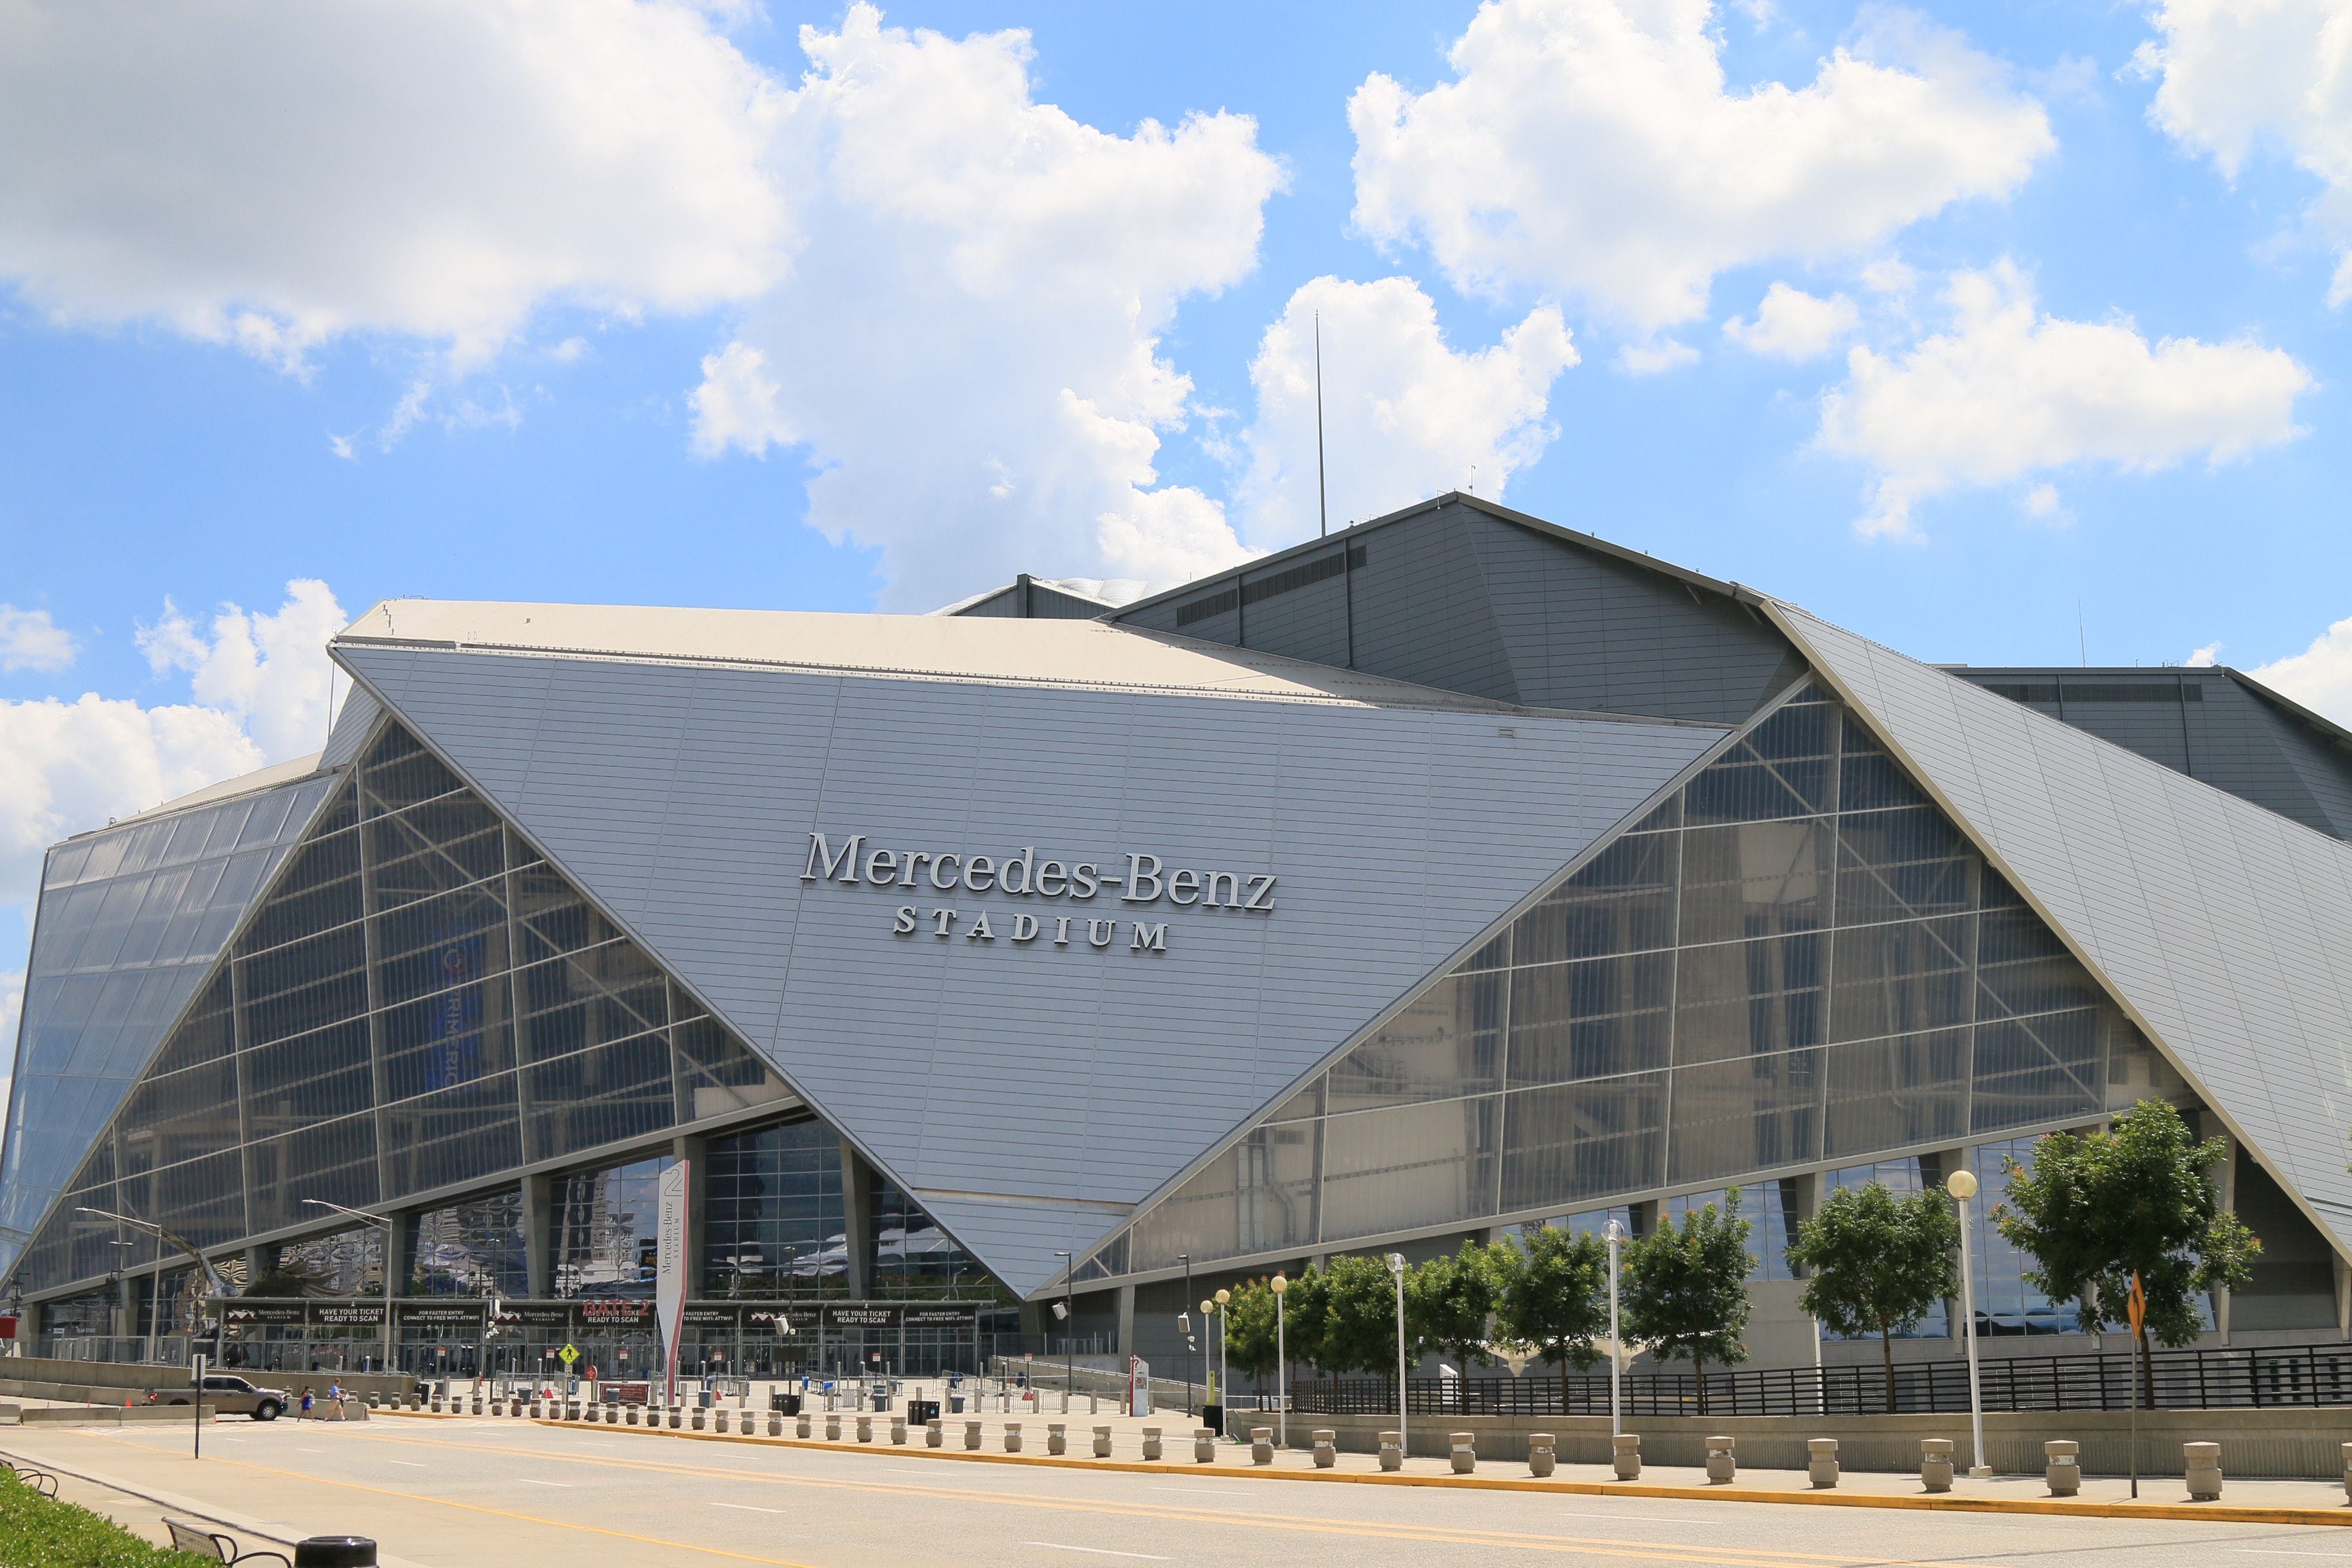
{"points": [[272, 175]]}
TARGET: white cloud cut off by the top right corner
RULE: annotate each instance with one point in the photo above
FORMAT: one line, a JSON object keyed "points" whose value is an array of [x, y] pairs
{"points": [[2238, 76]]}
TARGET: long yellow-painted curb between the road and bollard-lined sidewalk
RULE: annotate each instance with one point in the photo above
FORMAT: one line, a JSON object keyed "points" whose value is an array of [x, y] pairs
{"points": [[2214, 1513]]}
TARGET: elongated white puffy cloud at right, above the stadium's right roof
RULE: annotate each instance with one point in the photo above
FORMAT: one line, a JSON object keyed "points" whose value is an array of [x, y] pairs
{"points": [[2007, 394]]}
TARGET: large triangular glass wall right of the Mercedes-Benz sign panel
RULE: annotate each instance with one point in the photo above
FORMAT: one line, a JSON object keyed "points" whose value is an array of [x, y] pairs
{"points": [[1791, 963]]}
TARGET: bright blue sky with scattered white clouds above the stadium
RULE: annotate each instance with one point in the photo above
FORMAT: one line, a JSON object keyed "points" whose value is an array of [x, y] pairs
{"points": [[1996, 333]]}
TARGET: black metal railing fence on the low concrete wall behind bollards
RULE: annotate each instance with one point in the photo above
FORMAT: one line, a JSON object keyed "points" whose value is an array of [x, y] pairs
{"points": [[2179, 1379]]}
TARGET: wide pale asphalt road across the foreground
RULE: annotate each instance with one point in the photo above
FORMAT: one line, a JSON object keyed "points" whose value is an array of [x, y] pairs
{"points": [[497, 1494]]}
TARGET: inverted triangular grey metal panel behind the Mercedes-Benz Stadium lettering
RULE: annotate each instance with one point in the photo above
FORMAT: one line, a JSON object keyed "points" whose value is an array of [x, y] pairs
{"points": [[686, 798]]}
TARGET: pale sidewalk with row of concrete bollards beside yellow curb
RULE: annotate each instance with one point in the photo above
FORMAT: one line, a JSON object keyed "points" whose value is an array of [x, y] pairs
{"points": [[2254, 1501]]}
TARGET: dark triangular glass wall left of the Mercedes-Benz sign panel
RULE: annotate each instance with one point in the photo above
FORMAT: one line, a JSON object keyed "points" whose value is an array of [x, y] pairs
{"points": [[420, 1003]]}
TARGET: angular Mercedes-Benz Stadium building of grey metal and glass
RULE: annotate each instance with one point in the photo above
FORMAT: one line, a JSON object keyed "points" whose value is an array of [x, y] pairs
{"points": [[1445, 876]]}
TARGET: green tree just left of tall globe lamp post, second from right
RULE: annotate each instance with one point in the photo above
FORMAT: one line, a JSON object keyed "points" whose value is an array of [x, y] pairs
{"points": [[1878, 1264]]}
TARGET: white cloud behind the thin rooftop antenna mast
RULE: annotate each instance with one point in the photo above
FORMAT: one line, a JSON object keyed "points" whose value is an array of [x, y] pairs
{"points": [[1405, 415]]}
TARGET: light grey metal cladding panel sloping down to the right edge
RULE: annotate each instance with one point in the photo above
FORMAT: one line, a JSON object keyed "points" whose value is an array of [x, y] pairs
{"points": [[2221, 925]]}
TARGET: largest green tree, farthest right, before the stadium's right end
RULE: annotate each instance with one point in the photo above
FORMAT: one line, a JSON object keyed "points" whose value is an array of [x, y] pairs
{"points": [[2137, 1200]]}
